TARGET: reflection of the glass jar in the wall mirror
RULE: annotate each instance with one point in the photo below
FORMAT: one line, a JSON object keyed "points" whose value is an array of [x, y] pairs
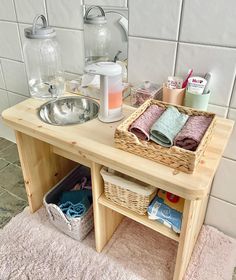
{"points": [[96, 36]]}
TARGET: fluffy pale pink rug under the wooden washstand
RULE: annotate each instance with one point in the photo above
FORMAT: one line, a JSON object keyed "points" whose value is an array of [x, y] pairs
{"points": [[32, 249]]}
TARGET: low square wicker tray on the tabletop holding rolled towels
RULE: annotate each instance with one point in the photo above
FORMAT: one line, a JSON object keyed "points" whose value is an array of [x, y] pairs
{"points": [[174, 157]]}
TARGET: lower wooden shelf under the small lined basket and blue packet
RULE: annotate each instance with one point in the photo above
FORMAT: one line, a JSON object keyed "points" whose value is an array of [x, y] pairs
{"points": [[138, 218]]}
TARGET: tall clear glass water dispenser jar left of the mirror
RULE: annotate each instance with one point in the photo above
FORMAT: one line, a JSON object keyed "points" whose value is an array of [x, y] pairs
{"points": [[43, 61]]}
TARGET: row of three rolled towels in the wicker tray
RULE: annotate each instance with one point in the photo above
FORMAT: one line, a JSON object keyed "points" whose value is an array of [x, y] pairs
{"points": [[170, 127]]}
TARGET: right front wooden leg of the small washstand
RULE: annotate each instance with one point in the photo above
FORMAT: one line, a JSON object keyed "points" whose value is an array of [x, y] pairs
{"points": [[193, 217]]}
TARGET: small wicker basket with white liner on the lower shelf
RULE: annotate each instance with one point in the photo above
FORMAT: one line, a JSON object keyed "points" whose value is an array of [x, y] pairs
{"points": [[127, 192]]}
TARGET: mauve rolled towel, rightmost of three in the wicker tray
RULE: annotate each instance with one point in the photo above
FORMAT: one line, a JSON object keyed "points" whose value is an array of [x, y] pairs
{"points": [[191, 134]]}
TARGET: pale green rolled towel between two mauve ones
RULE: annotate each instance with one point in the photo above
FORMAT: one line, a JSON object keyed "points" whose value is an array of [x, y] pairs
{"points": [[168, 126]]}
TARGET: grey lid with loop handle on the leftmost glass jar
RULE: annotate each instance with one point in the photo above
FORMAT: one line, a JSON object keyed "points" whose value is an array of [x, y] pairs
{"points": [[38, 31]]}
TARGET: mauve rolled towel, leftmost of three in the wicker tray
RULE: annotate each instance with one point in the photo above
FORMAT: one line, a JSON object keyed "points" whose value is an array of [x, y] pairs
{"points": [[142, 125]]}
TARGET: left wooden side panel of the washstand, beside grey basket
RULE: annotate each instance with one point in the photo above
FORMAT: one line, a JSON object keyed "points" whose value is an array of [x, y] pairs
{"points": [[41, 168]]}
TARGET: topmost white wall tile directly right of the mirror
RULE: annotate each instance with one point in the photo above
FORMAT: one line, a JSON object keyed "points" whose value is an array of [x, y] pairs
{"points": [[158, 19]]}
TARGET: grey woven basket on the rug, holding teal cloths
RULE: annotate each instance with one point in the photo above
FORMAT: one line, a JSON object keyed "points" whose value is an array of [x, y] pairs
{"points": [[76, 228]]}
